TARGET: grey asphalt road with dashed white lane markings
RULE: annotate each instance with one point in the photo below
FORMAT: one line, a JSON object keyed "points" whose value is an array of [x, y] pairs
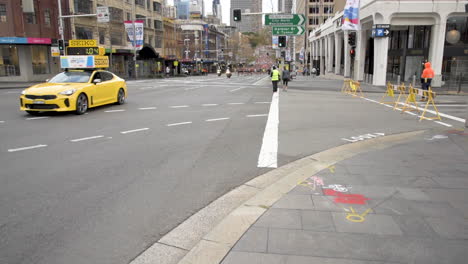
{"points": [[102, 187]]}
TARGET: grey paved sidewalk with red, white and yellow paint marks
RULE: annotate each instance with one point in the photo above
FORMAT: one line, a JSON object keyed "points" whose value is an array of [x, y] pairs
{"points": [[404, 204]]}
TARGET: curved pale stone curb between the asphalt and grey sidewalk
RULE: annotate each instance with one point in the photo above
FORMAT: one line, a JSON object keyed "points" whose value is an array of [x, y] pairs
{"points": [[207, 236]]}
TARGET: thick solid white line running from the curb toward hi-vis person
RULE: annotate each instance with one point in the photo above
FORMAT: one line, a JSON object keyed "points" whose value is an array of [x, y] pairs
{"points": [[268, 157]]}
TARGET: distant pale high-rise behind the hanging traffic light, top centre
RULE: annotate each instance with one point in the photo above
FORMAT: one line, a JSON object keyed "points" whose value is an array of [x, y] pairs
{"points": [[251, 23]]}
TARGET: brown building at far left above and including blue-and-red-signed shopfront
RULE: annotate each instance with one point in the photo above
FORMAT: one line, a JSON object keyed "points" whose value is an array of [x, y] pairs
{"points": [[27, 31]]}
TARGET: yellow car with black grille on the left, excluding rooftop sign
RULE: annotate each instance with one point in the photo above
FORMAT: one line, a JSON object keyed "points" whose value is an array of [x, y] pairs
{"points": [[74, 90]]}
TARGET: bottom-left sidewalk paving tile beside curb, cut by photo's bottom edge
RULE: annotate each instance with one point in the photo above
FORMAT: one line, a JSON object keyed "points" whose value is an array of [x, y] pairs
{"points": [[236, 257]]}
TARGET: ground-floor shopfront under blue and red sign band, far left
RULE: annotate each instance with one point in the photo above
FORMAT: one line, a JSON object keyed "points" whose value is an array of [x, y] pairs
{"points": [[26, 59]]}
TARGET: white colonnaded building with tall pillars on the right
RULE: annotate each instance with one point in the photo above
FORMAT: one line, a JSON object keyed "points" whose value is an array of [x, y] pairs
{"points": [[416, 34]]}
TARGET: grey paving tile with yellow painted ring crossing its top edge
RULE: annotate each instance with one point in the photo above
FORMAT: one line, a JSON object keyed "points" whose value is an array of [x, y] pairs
{"points": [[373, 224]]}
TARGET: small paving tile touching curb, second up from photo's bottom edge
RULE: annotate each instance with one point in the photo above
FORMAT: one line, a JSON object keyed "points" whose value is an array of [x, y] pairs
{"points": [[254, 240]]}
